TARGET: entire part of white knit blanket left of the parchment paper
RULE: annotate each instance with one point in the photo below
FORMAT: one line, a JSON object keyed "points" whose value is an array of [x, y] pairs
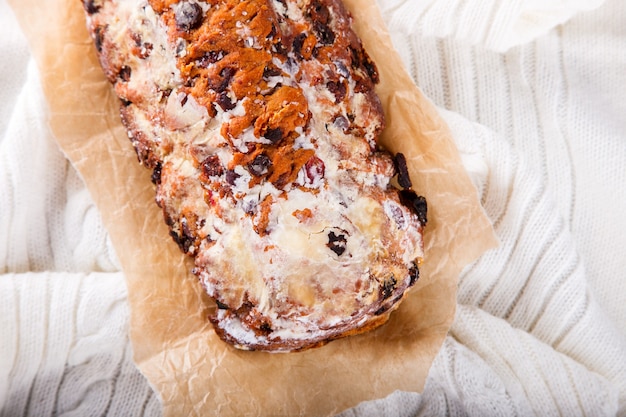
{"points": [[64, 346]]}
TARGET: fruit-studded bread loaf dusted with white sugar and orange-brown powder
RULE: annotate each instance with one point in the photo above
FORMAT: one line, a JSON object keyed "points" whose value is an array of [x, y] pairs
{"points": [[259, 121]]}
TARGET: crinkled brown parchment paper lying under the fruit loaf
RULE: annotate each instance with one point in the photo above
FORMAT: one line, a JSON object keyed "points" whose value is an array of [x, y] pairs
{"points": [[174, 346]]}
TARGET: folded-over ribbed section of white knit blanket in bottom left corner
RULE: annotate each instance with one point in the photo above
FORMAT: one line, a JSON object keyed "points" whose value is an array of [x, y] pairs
{"points": [[65, 349]]}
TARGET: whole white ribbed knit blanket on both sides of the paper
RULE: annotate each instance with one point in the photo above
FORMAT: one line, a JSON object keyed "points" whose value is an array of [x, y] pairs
{"points": [[535, 94]]}
